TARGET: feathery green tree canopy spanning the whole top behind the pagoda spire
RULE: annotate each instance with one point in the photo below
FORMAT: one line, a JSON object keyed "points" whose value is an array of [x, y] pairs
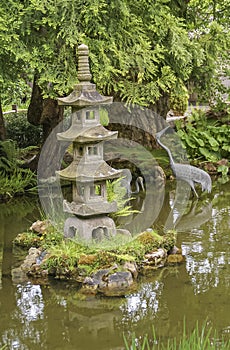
{"points": [[137, 52]]}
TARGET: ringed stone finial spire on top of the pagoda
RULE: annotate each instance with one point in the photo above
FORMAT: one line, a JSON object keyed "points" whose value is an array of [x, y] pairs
{"points": [[83, 64]]}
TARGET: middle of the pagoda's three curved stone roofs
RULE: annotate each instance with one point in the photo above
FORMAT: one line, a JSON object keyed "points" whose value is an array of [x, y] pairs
{"points": [[84, 134]]}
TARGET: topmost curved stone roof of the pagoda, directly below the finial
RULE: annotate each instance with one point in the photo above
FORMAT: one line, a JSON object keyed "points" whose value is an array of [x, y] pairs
{"points": [[84, 94]]}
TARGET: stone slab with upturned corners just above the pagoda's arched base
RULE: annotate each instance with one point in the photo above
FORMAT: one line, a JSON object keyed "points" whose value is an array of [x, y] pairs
{"points": [[89, 209]]}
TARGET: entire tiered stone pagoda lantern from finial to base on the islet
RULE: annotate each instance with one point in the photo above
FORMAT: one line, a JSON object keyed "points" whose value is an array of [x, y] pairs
{"points": [[88, 172]]}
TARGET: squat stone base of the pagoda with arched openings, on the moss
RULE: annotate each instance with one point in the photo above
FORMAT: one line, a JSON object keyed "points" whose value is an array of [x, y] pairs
{"points": [[88, 229]]}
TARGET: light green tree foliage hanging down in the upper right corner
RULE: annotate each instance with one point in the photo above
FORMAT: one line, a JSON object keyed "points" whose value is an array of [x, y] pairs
{"points": [[208, 27]]}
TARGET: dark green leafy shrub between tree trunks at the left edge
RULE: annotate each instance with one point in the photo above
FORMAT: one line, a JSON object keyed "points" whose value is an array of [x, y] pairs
{"points": [[21, 131]]}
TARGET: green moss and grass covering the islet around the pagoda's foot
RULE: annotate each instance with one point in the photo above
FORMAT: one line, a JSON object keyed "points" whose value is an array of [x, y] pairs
{"points": [[70, 259]]}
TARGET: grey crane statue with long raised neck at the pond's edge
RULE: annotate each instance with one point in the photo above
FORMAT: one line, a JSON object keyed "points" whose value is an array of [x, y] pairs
{"points": [[187, 172]]}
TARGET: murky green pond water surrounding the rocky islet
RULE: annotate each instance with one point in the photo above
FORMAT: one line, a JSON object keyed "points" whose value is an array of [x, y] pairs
{"points": [[53, 316]]}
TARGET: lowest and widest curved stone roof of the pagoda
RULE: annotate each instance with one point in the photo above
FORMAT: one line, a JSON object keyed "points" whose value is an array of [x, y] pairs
{"points": [[89, 172]]}
